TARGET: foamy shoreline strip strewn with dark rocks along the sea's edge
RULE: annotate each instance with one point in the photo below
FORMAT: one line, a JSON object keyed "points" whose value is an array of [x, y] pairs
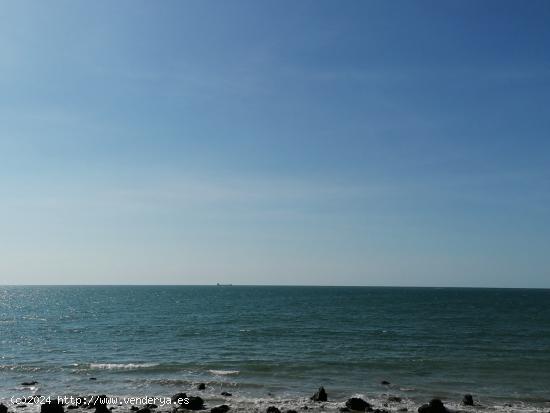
{"points": [[211, 402]]}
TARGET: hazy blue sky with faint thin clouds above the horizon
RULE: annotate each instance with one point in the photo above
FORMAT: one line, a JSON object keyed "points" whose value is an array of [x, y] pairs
{"points": [[275, 142]]}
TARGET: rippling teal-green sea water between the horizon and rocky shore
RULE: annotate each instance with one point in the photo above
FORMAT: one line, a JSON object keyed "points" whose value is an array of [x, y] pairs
{"points": [[278, 344]]}
